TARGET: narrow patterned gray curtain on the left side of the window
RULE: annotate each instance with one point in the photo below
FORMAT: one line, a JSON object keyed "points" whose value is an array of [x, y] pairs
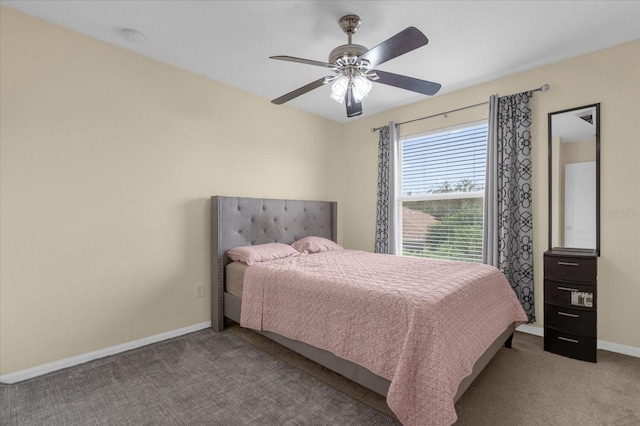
{"points": [[385, 214]]}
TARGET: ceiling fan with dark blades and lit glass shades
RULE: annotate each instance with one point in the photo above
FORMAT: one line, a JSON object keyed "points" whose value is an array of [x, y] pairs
{"points": [[354, 68]]}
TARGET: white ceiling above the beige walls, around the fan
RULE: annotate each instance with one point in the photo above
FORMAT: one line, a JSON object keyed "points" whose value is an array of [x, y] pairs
{"points": [[470, 42]]}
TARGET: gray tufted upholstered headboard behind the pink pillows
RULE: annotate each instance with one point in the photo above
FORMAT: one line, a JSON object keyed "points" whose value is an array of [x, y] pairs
{"points": [[237, 221]]}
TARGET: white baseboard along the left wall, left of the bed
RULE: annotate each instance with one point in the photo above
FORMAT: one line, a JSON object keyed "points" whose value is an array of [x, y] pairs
{"points": [[39, 370]]}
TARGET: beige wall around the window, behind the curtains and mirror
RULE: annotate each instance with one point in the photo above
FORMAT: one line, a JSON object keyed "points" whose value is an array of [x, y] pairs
{"points": [[611, 77]]}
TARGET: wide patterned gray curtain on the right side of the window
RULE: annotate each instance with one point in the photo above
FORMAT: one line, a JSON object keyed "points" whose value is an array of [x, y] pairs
{"points": [[508, 219]]}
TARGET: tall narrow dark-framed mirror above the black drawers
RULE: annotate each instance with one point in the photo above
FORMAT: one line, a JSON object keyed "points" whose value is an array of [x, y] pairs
{"points": [[574, 178]]}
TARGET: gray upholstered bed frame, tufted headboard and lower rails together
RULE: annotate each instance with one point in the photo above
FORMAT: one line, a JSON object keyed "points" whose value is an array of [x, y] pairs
{"points": [[239, 221]]}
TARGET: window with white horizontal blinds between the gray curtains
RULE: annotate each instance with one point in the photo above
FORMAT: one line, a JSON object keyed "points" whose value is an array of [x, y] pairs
{"points": [[441, 176]]}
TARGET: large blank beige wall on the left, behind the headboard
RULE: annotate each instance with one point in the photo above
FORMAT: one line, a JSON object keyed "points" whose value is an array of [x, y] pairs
{"points": [[107, 160]]}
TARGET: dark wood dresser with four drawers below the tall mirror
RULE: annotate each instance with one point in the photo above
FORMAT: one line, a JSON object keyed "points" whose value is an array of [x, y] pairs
{"points": [[570, 303]]}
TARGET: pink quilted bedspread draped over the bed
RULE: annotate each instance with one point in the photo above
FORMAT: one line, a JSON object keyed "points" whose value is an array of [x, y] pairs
{"points": [[419, 323]]}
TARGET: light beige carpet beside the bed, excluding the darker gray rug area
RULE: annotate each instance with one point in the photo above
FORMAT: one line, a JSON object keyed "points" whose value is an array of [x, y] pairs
{"points": [[521, 386]]}
